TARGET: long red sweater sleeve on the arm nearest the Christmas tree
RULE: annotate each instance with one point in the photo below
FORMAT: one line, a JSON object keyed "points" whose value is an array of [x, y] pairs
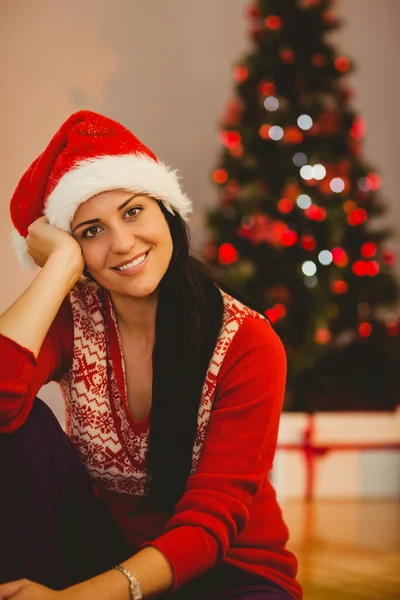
{"points": [[236, 457]]}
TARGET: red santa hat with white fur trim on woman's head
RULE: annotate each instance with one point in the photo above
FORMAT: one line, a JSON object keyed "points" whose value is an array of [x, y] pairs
{"points": [[89, 154]]}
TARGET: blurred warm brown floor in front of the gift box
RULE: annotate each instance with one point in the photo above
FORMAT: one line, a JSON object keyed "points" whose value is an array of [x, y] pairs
{"points": [[346, 550]]}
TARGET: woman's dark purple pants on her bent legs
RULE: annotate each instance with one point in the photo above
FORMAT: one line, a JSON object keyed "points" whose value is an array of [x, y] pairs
{"points": [[55, 531]]}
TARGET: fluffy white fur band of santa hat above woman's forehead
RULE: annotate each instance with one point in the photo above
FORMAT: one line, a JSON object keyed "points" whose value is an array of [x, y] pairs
{"points": [[130, 172]]}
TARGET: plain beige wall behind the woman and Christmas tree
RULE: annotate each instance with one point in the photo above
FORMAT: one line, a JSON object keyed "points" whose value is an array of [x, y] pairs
{"points": [[164, 70]]}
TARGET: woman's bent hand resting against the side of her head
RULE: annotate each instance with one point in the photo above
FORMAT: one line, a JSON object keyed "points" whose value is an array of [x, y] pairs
{"points": [[44, 240]]}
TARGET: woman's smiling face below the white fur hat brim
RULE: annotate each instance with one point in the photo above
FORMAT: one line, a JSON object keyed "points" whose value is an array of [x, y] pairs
{"points": [[125, 241]]}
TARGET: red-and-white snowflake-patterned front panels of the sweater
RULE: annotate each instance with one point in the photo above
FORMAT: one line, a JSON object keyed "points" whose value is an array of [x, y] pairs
{"points": [[111, 444]]}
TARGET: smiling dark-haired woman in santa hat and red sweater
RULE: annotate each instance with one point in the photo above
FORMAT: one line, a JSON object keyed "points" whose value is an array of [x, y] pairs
{"points": [[173, 392]]}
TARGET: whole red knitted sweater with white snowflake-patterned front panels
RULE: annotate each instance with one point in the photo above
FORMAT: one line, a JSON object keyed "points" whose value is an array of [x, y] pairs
{"points": [[229, 512]]}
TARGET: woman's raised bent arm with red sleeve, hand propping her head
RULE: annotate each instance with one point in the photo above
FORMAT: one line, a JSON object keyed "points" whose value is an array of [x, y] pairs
{"points": [[26, 361]]}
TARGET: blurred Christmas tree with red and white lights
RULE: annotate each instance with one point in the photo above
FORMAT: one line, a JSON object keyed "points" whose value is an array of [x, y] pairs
{"points": [[292, 231]]}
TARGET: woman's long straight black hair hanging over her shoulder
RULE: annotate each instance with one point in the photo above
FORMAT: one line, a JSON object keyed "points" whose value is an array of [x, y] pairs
{"points": [[188, 321]]}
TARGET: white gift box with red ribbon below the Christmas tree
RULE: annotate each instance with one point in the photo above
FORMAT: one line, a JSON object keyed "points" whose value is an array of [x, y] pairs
{"points": [[338, 455]]}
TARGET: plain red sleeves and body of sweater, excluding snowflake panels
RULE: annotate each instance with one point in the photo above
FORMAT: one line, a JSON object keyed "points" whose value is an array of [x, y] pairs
{"points": [[229, 511]]}
